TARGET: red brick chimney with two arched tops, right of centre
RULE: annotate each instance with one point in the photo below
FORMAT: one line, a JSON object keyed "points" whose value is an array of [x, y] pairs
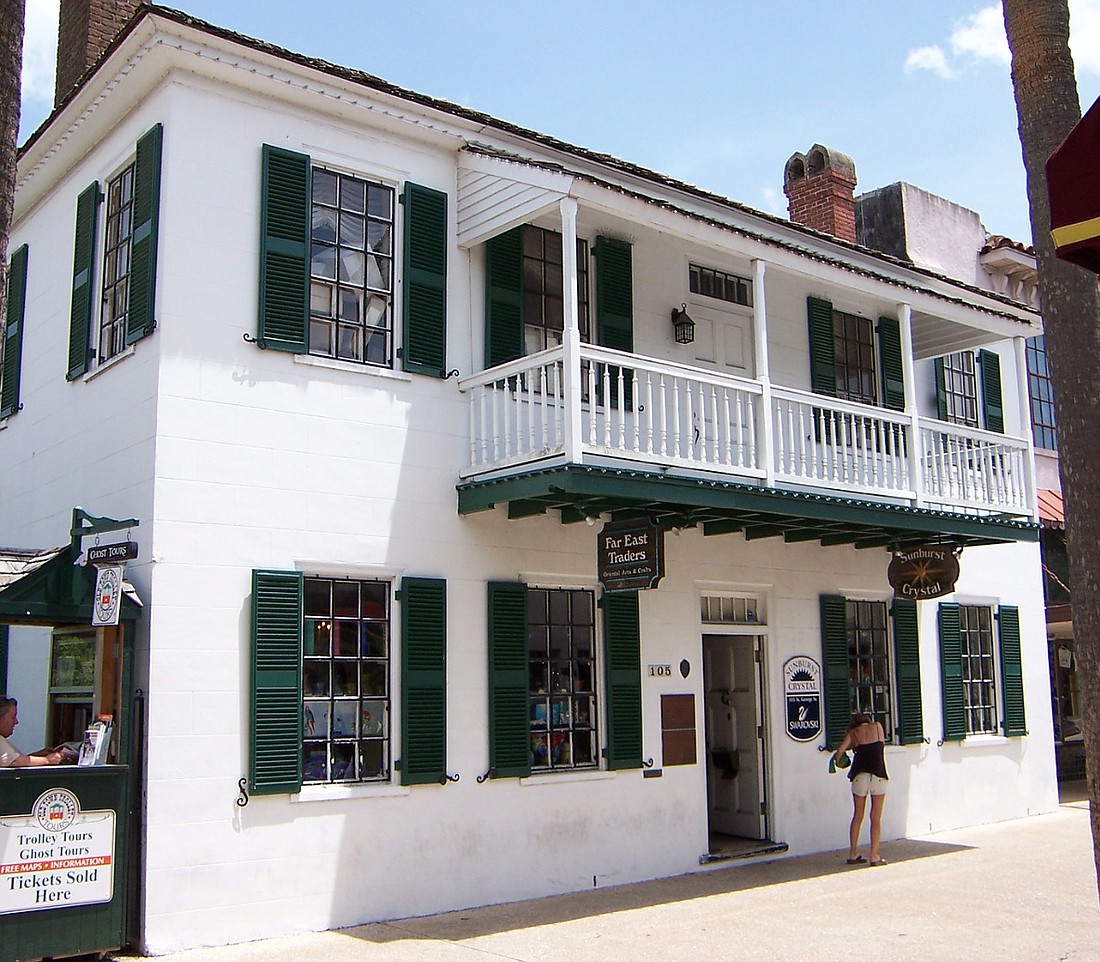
{"points": [[820, 189]]}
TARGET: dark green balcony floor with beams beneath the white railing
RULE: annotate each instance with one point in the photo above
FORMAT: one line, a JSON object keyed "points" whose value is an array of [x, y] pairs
{"points": [[721, 507]]}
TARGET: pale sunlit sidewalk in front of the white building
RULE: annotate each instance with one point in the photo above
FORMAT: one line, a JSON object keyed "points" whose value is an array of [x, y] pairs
{"points": [[1021, 891]]}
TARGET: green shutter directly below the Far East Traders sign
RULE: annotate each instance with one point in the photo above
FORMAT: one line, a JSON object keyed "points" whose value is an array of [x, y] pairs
{"points": [[623, 669]]}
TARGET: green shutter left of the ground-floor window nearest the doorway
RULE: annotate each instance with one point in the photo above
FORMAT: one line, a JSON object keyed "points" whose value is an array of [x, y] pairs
{"points": [[510, 749]]}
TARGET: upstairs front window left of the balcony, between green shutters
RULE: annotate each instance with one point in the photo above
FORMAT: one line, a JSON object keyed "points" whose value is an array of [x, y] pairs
{"points": [[351, 292]]}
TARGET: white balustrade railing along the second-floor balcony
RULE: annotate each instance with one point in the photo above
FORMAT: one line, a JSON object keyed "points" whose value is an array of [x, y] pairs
{"points": [[677, 417]]}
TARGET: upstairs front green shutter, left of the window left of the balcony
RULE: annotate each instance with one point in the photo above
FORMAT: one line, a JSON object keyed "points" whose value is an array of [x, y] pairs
{"points": [[284, 251]]}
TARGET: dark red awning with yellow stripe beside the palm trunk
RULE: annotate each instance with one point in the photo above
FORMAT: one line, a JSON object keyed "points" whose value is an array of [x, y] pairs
{"points": [[1073, 183]]}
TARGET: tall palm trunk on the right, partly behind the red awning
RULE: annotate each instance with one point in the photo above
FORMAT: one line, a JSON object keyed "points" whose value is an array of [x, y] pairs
{"points": [[1048, 107]]}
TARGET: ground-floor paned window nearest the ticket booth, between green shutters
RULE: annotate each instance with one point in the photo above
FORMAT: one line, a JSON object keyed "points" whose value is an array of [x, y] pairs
{"points": [[346, 681]]}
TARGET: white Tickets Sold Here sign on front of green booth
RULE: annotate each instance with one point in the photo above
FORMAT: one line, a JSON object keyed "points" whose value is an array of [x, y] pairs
{"points": [[57, 857]]}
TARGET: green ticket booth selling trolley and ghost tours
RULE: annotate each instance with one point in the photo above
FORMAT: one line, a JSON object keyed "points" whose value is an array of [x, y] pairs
{"points": [[71, 835]]}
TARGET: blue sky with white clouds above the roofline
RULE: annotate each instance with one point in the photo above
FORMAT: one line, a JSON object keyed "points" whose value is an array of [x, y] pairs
{"points": [[714, 93]]}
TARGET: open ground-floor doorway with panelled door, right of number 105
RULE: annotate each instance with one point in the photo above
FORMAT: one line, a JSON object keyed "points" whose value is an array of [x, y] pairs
{"points": [[735, 783]]}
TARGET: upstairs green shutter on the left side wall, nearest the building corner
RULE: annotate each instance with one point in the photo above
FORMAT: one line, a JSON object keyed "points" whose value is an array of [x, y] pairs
{"points": [[141, 319]]}
